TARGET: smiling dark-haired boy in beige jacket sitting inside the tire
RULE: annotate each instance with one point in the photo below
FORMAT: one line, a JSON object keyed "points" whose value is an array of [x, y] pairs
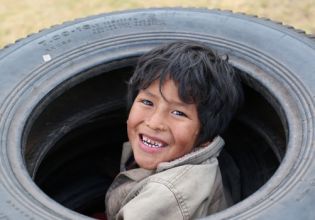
{"points": [[183, 97]]}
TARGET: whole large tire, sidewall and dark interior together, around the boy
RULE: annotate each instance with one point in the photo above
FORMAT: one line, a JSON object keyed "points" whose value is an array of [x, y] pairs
{"points": [[62, 93]]}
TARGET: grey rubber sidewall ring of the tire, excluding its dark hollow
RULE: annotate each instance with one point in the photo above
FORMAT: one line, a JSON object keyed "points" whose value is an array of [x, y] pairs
{"points": [[278, 62]]}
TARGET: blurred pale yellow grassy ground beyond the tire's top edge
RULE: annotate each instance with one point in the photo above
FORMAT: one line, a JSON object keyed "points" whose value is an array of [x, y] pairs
{"points": [[19, 18]]}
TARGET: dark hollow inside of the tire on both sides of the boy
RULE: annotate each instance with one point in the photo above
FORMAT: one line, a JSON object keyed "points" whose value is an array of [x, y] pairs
{"points": [[74, 139]]}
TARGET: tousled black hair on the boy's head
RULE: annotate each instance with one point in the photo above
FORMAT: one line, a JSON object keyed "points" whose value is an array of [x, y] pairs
{"points": [[202, 77]]}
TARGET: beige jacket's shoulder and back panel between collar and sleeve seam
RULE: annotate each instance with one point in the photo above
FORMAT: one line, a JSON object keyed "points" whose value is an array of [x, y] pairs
{"points": [[193, 186]]}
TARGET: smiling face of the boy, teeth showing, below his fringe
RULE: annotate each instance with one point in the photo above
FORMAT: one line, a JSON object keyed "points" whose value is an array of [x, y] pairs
{"points": [[160, 128]]}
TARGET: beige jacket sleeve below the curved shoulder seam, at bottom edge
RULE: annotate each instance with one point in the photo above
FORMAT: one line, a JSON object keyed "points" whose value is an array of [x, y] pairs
{"points": [[155, 201]]}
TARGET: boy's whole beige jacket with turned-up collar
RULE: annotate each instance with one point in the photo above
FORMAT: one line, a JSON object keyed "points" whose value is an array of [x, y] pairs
{"points": [[186, 188]]}
